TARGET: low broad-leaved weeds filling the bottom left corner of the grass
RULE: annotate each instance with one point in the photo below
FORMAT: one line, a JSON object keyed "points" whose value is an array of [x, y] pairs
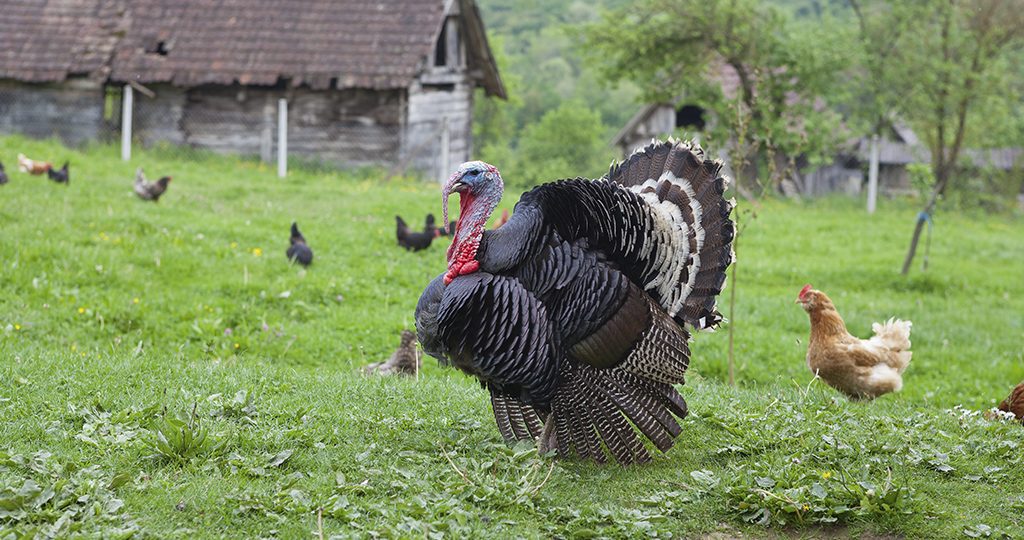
{"points": [[42, 500]]}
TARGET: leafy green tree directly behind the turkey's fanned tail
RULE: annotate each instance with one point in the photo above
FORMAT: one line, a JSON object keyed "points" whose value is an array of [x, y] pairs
{"points": [[785, 74]]}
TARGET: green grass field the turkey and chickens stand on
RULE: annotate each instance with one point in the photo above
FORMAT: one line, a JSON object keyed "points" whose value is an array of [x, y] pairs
{"points": [[297, 442]]}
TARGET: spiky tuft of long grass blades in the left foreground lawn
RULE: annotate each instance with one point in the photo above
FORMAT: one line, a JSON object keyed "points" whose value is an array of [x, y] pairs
{"points": [[184, 440]]}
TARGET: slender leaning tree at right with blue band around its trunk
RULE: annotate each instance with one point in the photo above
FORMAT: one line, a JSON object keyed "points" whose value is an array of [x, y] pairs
{"points": [[941, 65]]}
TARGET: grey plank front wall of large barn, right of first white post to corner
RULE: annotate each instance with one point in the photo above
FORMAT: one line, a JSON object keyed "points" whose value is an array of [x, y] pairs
{"points": [[353, 128]]}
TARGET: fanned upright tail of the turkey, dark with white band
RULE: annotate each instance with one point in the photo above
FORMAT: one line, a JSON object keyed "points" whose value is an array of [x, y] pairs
{"points": [[686, 190]]}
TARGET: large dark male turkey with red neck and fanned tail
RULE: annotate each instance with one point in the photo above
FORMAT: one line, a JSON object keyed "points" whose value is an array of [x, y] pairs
{"points": [[573, 314]]}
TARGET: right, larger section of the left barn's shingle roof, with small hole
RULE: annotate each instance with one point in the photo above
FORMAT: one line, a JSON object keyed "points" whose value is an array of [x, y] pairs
{"points": [[364, 44]]}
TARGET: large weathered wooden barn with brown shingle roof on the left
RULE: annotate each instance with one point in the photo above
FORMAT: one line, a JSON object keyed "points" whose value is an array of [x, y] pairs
{"points": [[381, 82]]}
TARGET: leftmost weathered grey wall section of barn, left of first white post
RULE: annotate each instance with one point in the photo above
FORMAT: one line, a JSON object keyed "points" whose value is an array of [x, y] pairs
{"points": [[72, 111]]}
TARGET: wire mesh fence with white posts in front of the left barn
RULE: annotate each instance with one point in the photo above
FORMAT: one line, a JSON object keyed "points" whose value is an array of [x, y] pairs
{"points": [[235, 121]]}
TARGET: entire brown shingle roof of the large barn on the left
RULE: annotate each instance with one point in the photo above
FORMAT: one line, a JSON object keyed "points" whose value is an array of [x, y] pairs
{"points": [[319, 44]]}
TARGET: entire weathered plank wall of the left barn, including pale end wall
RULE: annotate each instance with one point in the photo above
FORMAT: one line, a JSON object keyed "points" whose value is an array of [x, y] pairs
{"points": [[354, 128]]}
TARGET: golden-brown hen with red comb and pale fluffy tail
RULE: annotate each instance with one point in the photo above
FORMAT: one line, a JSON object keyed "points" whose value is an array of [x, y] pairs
{"points": [[859, 368]]}
